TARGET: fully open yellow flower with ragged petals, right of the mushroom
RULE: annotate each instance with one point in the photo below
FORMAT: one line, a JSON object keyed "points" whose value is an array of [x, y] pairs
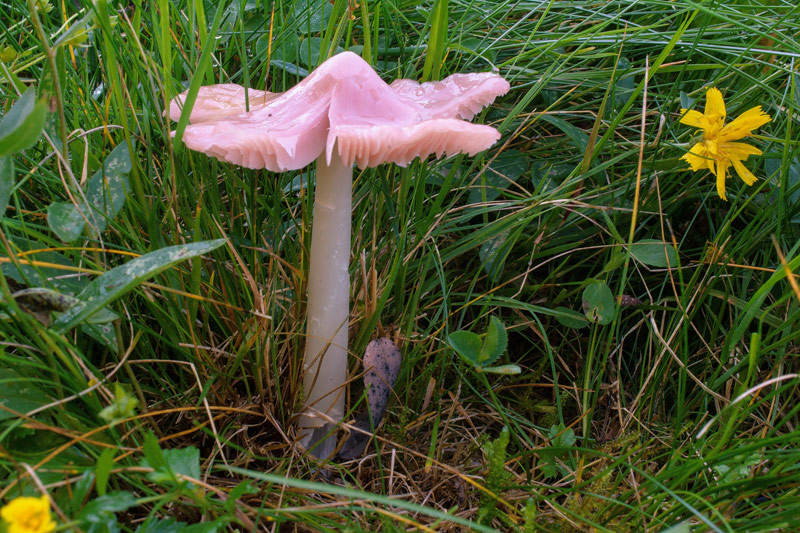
{"points": [[716, 151]]}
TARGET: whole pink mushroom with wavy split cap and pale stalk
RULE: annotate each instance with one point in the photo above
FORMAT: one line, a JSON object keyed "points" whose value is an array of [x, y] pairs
{"points": [[341, 114]]}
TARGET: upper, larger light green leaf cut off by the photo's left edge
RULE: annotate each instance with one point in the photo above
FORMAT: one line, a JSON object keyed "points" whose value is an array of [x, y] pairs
{"points": [[22, 125]]}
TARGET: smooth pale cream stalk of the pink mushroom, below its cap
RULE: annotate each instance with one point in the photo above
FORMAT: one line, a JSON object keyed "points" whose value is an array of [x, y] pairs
{"points": [[325, 364]]}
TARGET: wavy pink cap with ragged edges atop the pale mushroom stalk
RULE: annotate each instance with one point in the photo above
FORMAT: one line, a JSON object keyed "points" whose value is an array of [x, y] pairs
{"points": [[342, 104]]}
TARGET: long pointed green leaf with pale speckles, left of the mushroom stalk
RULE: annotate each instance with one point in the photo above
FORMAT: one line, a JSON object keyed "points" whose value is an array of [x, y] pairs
{"points": [[118, 281]]}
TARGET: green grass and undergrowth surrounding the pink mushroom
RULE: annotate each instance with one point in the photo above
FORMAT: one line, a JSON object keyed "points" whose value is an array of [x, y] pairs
{"points": [[631, 425]]}
